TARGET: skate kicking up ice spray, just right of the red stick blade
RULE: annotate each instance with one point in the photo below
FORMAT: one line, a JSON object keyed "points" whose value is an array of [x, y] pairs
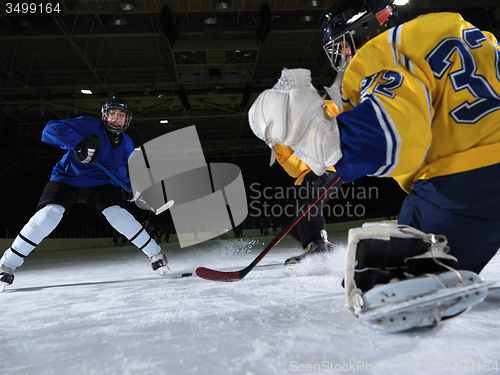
{"points": [[319, 250]]}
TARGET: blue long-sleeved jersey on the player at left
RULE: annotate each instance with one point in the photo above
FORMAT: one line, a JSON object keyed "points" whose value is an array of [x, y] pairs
{"points": [[67, 134]]}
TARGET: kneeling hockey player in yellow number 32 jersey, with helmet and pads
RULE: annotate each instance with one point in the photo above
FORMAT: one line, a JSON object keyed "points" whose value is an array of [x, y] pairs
{"points": [[421, 104]]}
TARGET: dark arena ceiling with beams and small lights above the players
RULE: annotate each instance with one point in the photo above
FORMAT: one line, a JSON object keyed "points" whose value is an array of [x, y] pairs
{"points": [[191, 62]]}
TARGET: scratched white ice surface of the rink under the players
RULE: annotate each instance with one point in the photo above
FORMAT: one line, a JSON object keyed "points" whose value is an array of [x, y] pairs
{"points": [[267, 323]]}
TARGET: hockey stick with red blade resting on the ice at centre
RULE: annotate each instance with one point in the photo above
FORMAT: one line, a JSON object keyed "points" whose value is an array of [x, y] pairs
{"points": [[209, 274]]}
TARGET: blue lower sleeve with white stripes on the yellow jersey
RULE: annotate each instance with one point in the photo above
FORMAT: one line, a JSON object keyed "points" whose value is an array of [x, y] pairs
{"points": [[368, 147]]}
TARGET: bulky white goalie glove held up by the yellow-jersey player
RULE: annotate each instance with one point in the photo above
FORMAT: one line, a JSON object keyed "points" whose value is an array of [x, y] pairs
{"points": [[291, 113]]}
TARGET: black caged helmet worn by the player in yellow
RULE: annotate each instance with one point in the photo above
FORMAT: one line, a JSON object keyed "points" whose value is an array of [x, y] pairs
{"points": [[350, 23]]}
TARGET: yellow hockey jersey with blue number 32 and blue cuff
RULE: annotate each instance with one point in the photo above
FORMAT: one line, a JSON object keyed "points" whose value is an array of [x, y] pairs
{"points": [[421, 100]]}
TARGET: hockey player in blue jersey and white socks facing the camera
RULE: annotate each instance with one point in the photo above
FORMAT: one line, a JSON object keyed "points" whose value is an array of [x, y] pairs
{"points": [[76, 179]]}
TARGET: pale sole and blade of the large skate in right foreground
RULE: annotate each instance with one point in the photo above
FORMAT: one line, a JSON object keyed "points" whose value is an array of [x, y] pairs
{"points": [[426, 309]]}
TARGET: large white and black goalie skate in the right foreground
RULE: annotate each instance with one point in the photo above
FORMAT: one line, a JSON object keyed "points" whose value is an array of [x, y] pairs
{"points": [[398, 278]]}
